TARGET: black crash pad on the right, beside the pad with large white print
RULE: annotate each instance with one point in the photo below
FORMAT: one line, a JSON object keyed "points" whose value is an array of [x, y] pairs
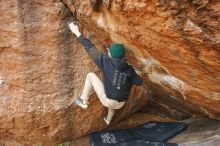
{"points": [[158, 131]]}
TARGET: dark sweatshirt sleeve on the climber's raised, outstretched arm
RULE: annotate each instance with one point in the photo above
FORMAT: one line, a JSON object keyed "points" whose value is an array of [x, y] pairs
{"points": [[93, 52]]}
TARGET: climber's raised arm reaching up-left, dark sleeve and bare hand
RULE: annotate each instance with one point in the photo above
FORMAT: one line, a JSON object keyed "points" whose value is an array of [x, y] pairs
{"points": [[93, 52]]}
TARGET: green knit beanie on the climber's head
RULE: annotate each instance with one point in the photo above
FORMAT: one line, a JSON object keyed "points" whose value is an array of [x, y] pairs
{"points": [[117, 51]]}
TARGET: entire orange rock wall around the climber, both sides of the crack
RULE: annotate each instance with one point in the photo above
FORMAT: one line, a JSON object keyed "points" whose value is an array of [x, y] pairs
{"points": [[175, 45]]}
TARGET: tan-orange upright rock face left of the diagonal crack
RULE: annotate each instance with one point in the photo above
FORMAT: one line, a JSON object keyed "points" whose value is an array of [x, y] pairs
{"points": [[42, 69]]}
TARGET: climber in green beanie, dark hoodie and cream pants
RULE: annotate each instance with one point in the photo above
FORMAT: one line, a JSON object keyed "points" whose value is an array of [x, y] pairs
{"points": [[118, 76]]}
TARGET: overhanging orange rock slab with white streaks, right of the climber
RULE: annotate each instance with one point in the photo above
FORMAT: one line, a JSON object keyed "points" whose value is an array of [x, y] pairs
{"points": [[174, 44]]}
